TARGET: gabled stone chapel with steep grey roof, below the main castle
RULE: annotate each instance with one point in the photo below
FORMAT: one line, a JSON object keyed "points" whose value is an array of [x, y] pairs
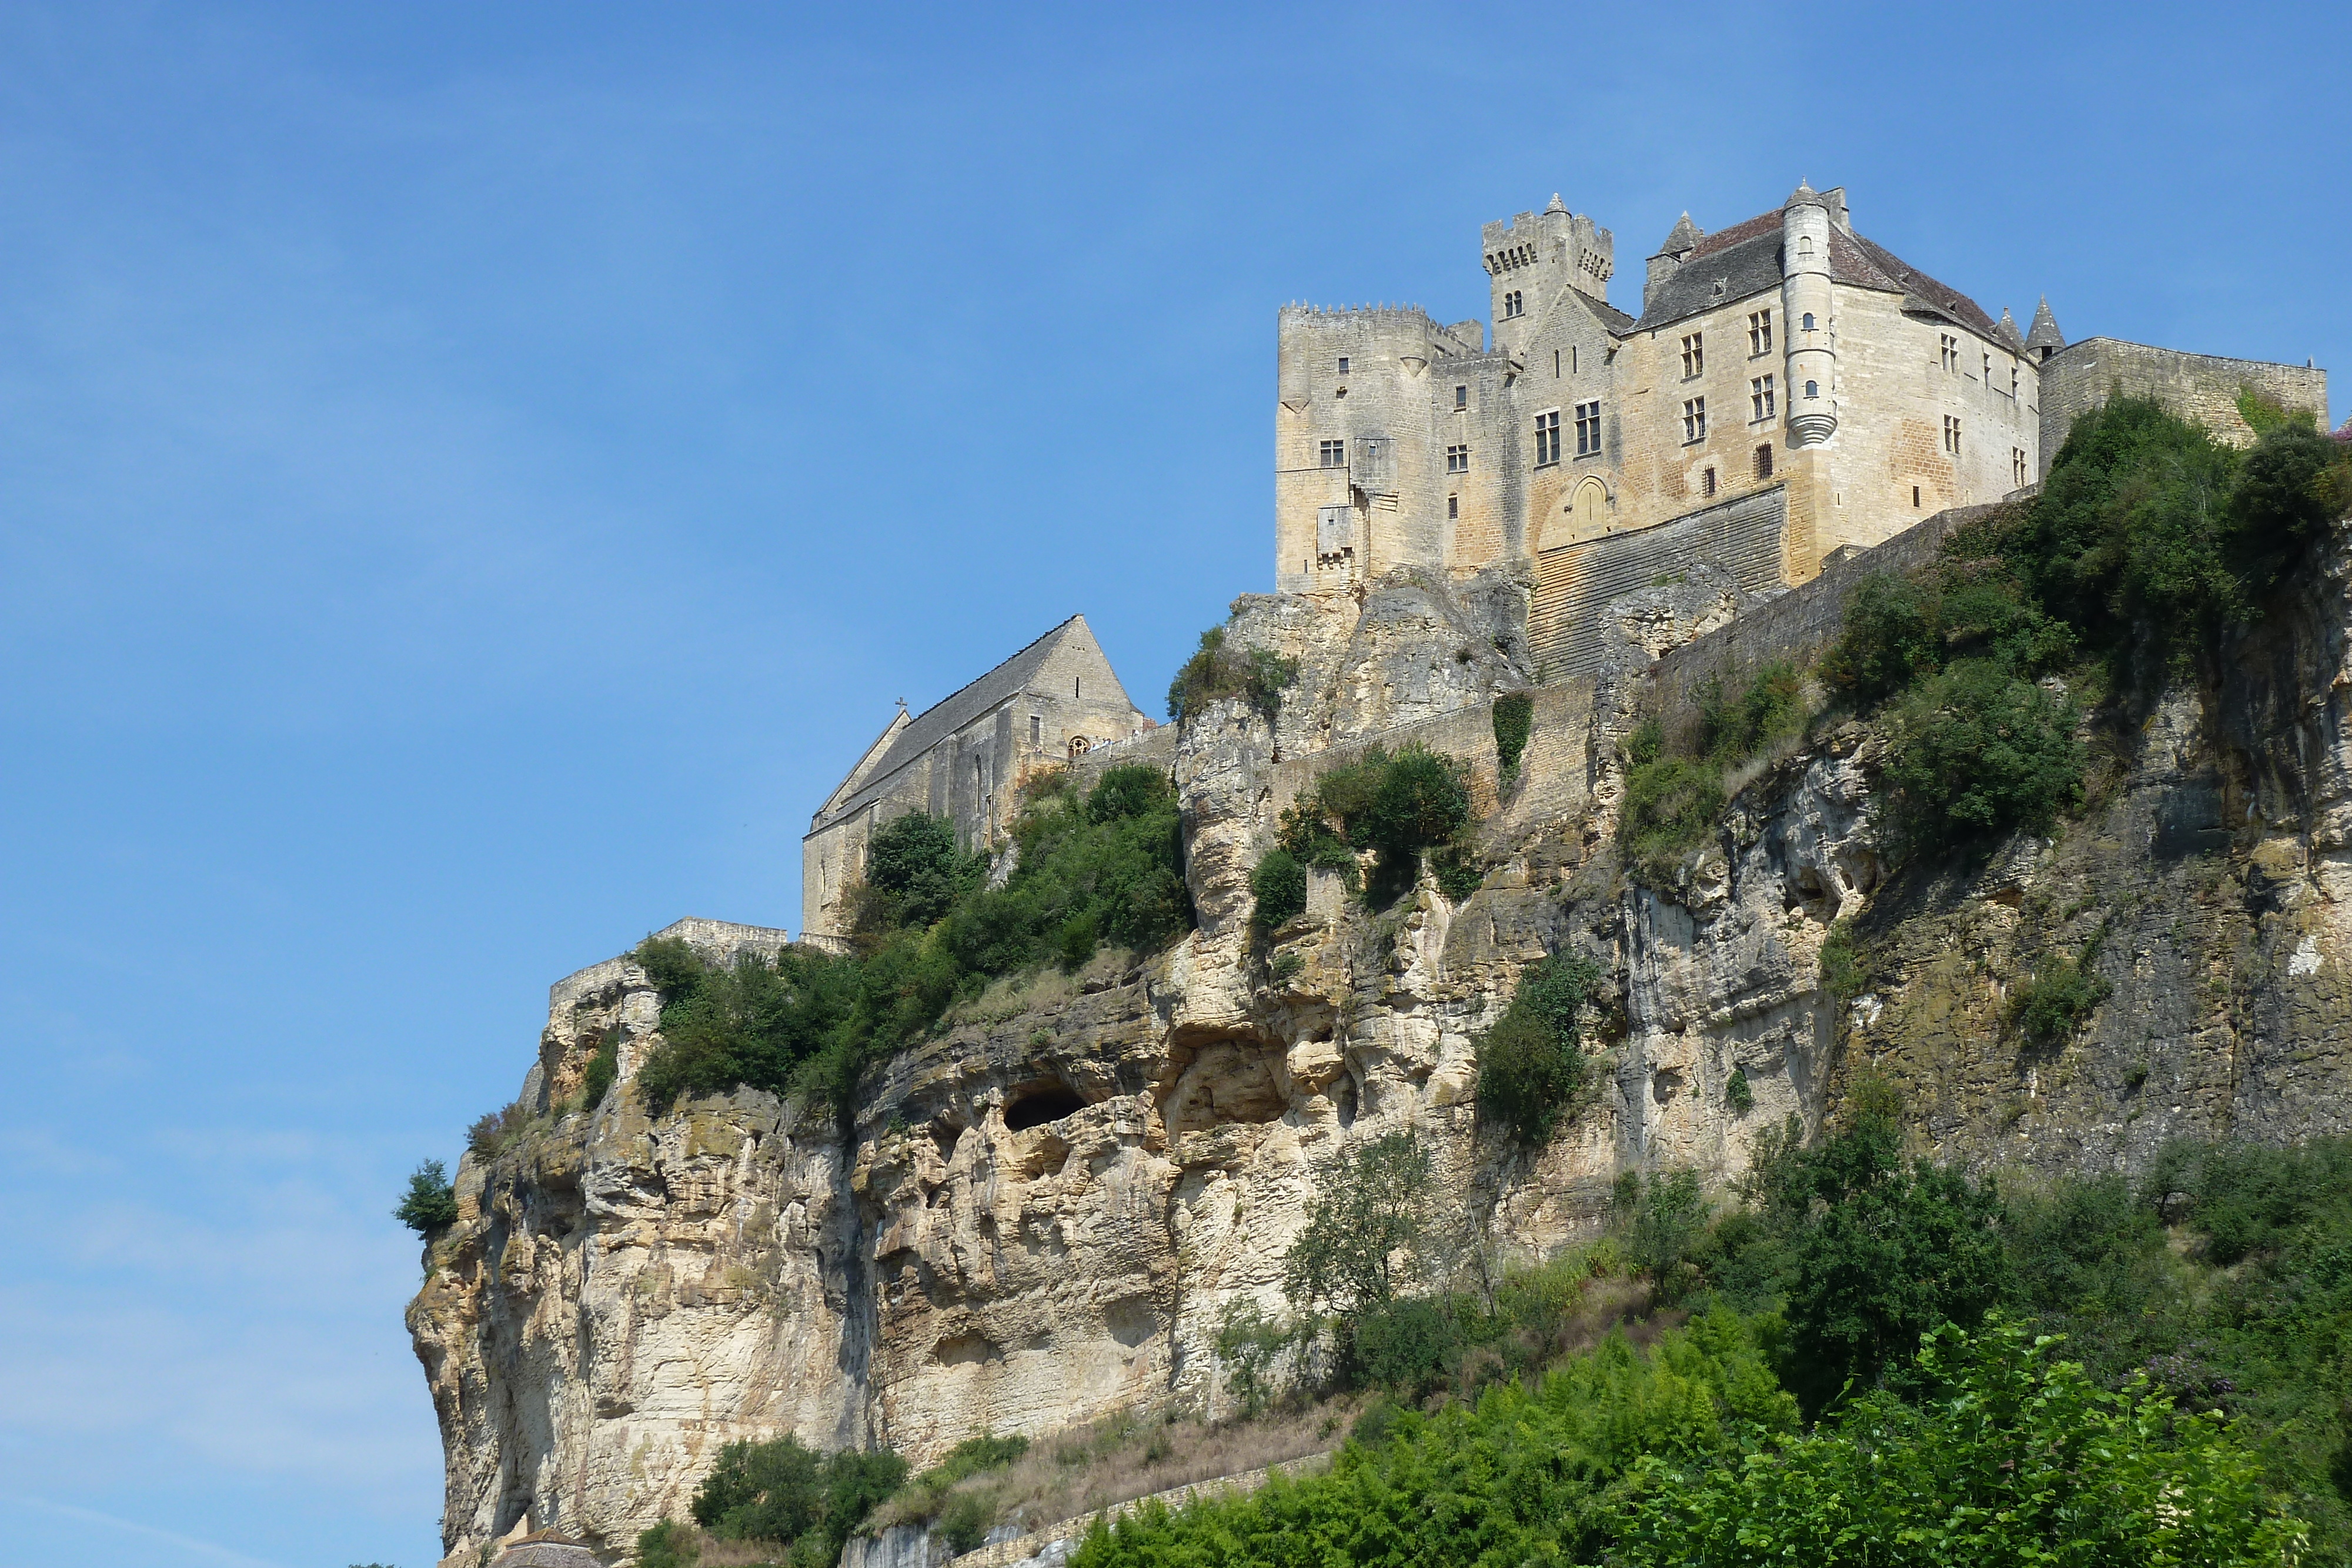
{"points": [[965, 760]]}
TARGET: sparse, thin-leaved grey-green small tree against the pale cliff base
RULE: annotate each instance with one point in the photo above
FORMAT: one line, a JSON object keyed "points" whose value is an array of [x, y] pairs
{"points": [[1365, 1233]]}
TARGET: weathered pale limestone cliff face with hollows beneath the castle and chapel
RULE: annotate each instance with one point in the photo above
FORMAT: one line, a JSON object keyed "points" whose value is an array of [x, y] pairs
{"points": [[1045, 1212]]}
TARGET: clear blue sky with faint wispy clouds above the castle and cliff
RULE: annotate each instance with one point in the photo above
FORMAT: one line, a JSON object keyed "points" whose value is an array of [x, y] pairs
{"points": [[472, 478]]}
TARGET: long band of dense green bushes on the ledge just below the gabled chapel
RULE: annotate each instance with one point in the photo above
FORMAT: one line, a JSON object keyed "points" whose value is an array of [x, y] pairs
{"points": [[1090, 869]]}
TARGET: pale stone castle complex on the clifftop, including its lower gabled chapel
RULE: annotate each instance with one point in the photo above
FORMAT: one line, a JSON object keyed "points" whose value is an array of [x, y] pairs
{"points": [[1791, 394]]}
